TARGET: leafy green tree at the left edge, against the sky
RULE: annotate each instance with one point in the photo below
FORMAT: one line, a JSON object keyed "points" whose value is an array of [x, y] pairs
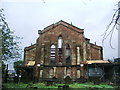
{"points": [[10, 45]]}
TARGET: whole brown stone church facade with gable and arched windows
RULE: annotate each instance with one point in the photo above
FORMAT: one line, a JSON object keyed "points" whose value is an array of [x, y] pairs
{"points": [[61, 50]]}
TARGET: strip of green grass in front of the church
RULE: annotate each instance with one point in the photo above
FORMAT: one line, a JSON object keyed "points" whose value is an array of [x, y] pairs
{"points": [[42, 85]]}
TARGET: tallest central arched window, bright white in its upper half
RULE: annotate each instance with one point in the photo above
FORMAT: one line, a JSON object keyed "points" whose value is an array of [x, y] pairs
{"points": [[60, 41]]}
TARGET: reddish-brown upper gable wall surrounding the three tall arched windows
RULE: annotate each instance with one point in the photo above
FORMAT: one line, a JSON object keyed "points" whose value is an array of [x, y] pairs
{"points": [[51, 37]]}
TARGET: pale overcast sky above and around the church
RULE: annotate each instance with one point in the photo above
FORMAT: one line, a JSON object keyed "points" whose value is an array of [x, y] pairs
{"points": [[26, 17]]}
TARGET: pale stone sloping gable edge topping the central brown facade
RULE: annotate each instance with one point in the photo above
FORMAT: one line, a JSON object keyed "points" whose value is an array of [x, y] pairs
{"points": [[61, 22]]}
